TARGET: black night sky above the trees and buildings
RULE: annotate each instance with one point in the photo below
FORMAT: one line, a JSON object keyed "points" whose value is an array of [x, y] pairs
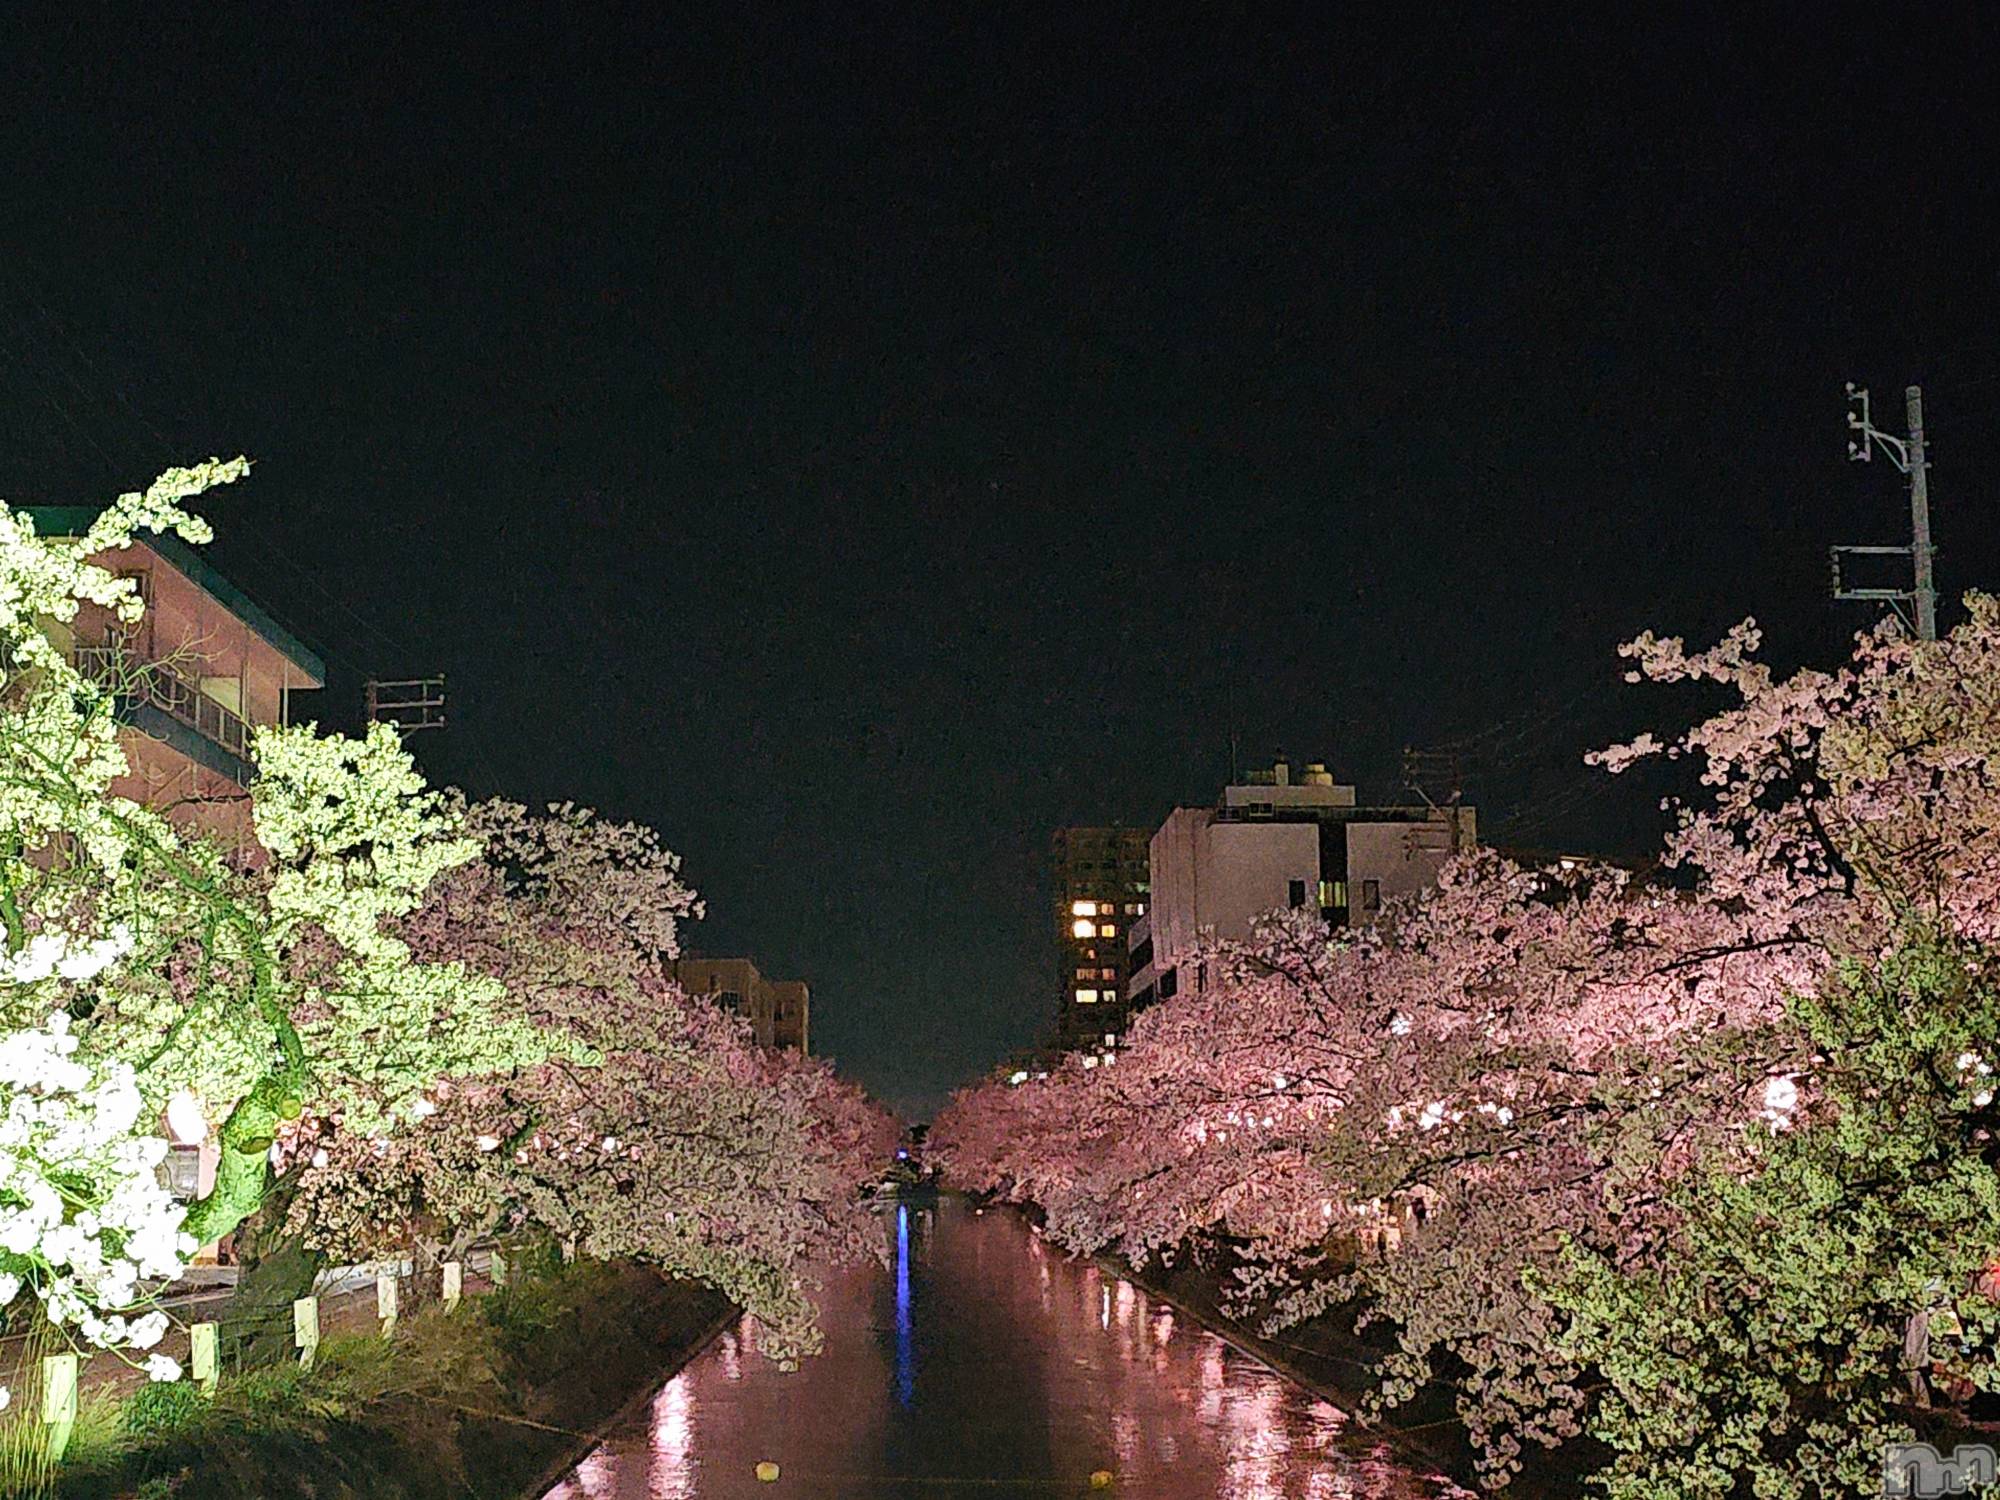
{"points": [[863, 439]]}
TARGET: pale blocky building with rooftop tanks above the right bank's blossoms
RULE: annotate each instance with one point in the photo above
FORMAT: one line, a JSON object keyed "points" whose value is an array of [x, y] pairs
{"points": [[1281, 843]]}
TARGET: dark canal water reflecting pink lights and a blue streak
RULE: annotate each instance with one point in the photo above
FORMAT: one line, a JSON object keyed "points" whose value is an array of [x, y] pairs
{"points": [[983, 1363]]}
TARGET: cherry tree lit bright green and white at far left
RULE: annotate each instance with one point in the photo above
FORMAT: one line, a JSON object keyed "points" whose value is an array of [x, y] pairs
{"points": [[177, 971]]}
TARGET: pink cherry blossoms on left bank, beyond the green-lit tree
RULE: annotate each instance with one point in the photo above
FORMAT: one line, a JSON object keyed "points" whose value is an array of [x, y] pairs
{"points": [[679, 1143]]}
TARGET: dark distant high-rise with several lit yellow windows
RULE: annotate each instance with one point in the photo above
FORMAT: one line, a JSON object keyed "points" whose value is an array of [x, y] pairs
{"points": [[1101, 889]]}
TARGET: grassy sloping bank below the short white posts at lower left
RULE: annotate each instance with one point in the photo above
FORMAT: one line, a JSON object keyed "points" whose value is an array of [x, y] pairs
{"points": [[493, 1401]]}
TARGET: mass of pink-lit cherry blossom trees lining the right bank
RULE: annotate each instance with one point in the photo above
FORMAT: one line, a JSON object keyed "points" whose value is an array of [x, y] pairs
{"points": [[1575, 1071]]}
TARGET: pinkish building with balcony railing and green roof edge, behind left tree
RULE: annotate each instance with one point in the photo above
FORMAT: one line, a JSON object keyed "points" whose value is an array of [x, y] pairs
{"points": [[195, 675]]}
